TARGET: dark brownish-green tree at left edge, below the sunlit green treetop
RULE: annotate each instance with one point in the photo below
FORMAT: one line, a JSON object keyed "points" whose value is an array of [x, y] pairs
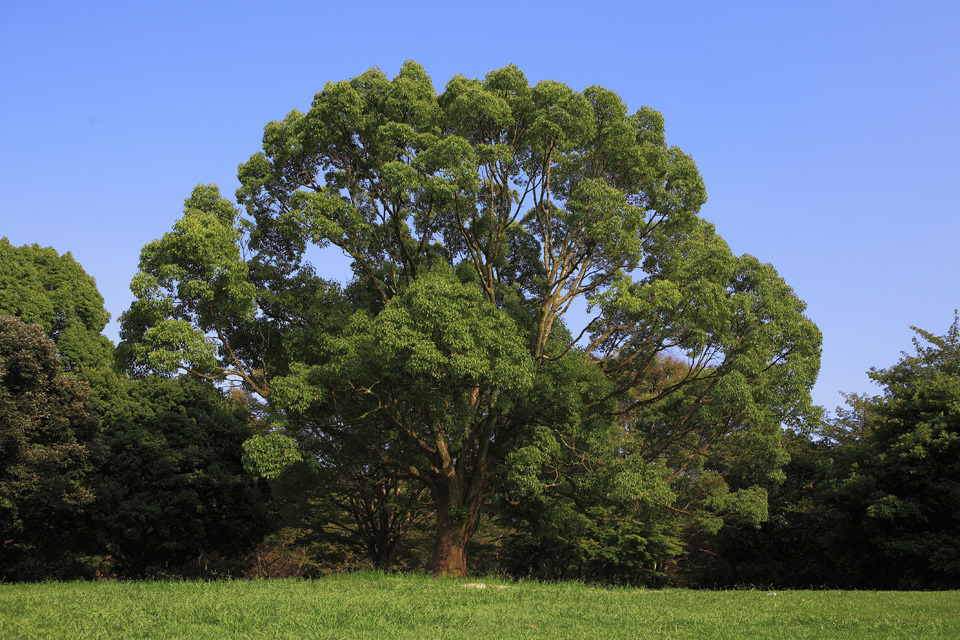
{"points": [[48, 446]]}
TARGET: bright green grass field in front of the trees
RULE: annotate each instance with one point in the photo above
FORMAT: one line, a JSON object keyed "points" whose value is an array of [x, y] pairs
{"points": [[370, 605]]}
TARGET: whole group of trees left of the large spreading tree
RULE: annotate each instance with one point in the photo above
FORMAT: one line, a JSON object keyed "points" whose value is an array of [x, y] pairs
{"points": [[101, 475]]}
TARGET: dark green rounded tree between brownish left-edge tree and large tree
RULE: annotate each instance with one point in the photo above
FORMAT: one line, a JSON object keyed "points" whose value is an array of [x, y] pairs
{"points": [[173, 493]]}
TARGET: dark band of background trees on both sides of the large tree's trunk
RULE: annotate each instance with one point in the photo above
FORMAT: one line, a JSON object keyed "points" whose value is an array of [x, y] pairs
{"points": [[105, 476]]}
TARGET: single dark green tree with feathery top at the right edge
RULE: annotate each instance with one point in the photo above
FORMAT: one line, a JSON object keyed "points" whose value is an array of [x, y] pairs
{"points": [[899, 493]]}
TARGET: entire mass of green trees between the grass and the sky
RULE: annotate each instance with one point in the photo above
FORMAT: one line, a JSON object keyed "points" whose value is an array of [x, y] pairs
{"points": [[542, 363]]}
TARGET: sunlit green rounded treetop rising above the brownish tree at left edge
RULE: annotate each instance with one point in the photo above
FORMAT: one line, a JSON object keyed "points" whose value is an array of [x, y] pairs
{"points": [[51, 290]]}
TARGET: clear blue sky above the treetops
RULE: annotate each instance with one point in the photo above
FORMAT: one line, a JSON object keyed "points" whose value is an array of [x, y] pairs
{"points": [[826, 132]]}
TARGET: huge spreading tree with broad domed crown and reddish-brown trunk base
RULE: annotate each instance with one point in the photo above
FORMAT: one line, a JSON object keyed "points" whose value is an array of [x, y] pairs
{"points": [[475, 220]]}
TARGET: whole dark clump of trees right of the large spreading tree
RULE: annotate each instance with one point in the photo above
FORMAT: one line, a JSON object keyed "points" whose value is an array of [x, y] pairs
{"points": [[874, 494]]}
